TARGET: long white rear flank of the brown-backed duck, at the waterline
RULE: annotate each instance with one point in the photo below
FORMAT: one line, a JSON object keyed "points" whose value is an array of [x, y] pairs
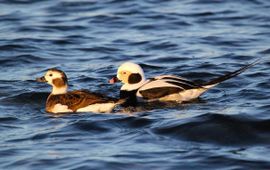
{"points": [[98, 108]]}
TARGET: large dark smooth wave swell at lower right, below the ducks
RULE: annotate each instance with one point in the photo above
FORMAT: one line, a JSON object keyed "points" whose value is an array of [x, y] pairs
{"points": [[219, 129]]}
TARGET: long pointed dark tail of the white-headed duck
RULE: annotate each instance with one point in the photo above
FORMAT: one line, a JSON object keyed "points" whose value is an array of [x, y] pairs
{"points": [[218, 80]]}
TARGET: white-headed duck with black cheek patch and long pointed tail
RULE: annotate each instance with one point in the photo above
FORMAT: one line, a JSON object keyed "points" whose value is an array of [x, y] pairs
{"points": [[162, 88]]}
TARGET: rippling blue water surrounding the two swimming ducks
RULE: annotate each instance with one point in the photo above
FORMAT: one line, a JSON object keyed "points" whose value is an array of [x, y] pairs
{"points": [[228, 128]]}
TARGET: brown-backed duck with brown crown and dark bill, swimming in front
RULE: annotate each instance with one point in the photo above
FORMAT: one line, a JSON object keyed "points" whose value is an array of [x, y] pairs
{"points": [[61, 100]]}
